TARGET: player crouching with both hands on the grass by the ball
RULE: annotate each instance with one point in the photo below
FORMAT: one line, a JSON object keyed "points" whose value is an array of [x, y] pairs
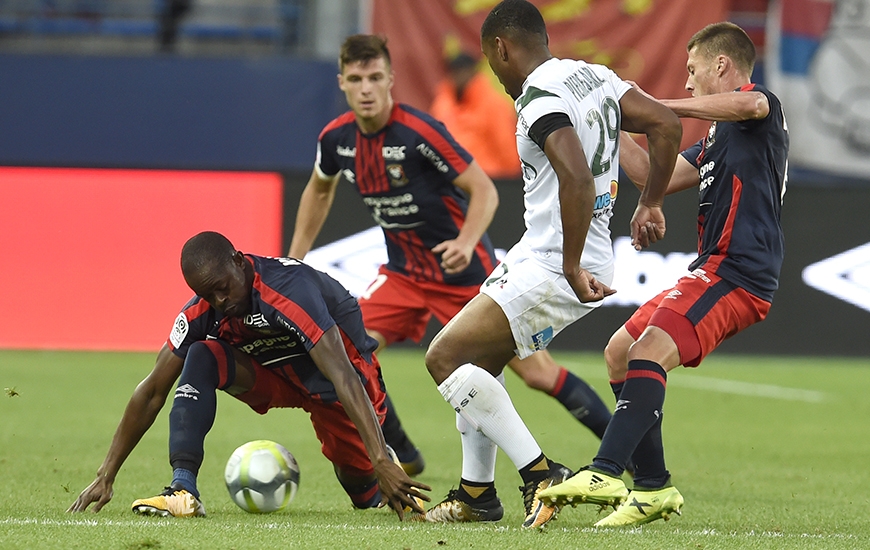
{"points": [[308, 329]]}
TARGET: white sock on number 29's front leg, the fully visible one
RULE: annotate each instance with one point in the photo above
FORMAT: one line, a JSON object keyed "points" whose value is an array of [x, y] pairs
{"points": [[486, 405]]}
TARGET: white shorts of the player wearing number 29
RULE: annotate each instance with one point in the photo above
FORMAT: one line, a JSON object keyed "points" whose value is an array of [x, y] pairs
{"points": [[538, 303]]}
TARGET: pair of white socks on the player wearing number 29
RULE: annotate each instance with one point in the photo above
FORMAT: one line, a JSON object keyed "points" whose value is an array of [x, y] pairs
{"points": [[486, 406]]}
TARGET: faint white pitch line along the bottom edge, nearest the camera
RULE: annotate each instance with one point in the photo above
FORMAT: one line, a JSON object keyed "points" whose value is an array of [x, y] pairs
{"points": [[235, 526]]}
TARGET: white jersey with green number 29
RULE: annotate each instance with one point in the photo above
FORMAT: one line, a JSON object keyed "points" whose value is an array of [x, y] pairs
{"points": [[589, 95]]}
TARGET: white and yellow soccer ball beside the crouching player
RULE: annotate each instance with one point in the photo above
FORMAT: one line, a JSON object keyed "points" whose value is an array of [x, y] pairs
{"points": [[262, 476]]}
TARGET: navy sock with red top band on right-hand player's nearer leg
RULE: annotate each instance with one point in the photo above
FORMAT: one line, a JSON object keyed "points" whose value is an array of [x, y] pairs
{"points": [[637, 410]]}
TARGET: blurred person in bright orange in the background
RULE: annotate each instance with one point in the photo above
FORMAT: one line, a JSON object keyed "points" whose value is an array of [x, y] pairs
{"points": [[480, 117]]}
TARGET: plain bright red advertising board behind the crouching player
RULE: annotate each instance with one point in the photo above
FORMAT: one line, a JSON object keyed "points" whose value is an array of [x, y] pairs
{"points": [[91, 256]]}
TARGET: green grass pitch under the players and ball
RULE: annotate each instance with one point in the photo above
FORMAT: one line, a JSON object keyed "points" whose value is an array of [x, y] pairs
{"points": [[769, 453]]}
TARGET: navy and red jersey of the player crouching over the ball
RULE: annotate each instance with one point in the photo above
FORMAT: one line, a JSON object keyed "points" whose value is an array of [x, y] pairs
{"points": [[293, 304]]}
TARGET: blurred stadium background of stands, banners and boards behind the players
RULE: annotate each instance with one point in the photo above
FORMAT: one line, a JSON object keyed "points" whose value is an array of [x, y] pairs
{"points": [[113, 153]]}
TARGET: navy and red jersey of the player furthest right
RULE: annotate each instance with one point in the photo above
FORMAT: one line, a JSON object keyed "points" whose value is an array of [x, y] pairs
{"points": [[742, 168]]}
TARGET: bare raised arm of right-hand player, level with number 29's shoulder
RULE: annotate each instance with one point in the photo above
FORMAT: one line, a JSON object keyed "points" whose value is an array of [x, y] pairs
{"points": [[724, 107]]}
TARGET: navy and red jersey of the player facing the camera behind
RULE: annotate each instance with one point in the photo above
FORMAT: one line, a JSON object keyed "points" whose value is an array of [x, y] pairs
{"points": [[405, 174]]}
